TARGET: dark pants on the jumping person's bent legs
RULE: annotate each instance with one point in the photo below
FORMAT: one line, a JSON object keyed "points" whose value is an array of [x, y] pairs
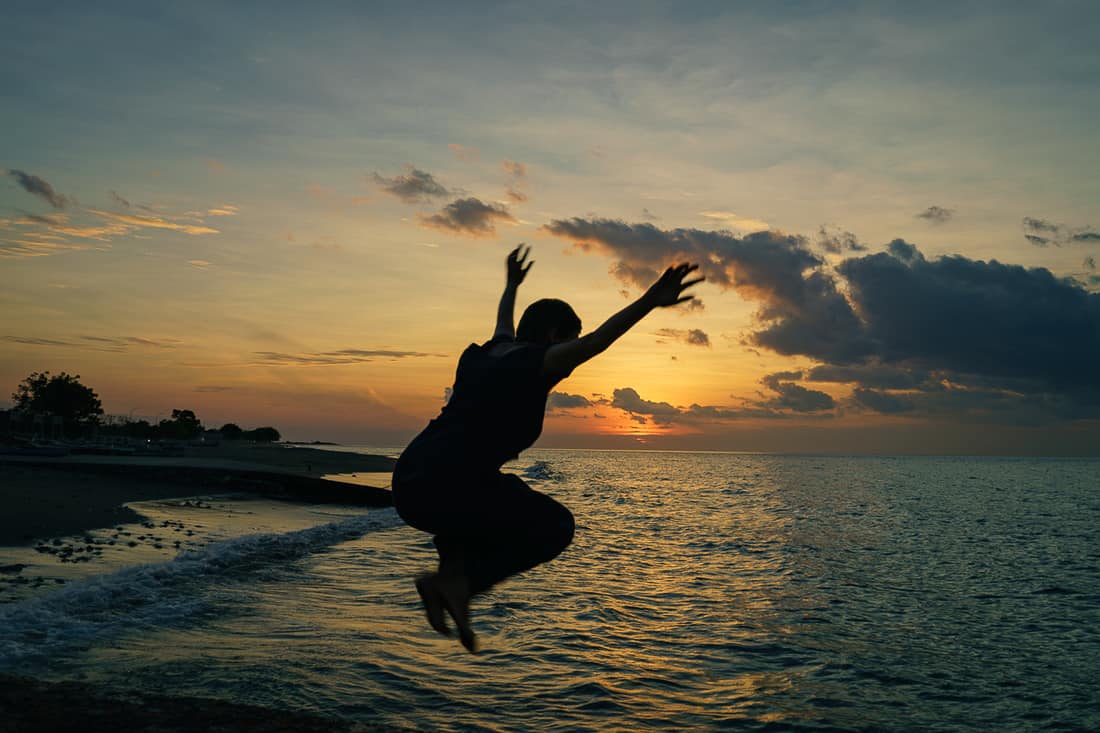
{"points": [[487, 529]]}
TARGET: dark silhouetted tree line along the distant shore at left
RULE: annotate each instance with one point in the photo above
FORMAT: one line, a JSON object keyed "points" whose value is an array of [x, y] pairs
{"points": [[63, 399]]}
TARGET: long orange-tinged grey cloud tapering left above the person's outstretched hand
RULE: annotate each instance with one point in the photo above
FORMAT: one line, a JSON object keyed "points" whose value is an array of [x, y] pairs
{"points": [[801, 308]]}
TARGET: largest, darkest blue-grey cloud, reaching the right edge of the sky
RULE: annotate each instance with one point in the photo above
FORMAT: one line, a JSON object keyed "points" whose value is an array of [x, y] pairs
{"points": [[975, 318]]}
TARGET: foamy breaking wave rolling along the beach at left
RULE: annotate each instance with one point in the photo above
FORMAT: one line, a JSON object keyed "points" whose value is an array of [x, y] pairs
{"points": [[157, 595]]}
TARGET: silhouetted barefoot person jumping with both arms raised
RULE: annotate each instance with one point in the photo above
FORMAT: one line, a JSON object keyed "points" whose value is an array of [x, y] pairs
{"points": [[491, 526]]}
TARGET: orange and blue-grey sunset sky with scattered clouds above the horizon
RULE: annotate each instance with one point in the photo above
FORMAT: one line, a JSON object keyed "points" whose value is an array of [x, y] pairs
{"points": [[298, 214]]}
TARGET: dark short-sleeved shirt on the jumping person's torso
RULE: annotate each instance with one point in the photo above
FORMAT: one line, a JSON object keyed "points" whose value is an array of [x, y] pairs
{"points": [[496, 412]]}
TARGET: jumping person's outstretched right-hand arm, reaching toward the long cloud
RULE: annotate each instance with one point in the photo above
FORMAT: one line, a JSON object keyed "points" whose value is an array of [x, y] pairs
{"points": [[668, 291]]}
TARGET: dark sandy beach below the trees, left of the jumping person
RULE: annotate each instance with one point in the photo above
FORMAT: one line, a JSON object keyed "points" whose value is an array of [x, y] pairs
{"points": [[46, 498]]}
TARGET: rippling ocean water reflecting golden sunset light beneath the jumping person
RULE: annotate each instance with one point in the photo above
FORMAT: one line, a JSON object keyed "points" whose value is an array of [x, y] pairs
{"points": [[703, 592]]}
